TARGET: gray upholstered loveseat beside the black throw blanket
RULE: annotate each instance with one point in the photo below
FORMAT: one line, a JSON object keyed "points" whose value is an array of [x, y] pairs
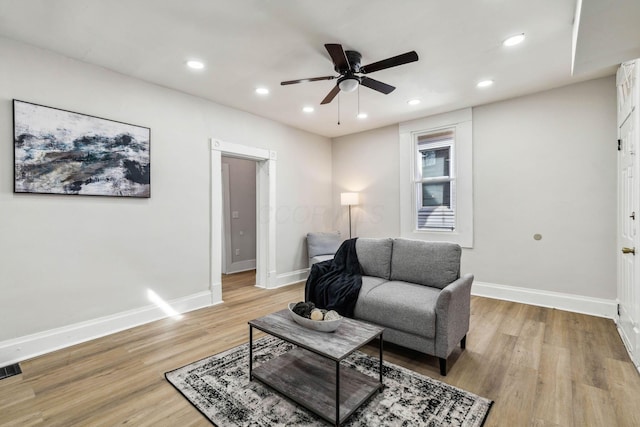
{"points": [[414, 290]]}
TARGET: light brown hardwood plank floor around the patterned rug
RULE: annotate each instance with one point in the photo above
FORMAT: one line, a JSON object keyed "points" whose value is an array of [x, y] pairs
{"points": [[542, 367]]}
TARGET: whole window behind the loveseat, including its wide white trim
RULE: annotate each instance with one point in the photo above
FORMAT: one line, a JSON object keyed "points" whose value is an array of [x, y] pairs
{"points": [[436, 200]]}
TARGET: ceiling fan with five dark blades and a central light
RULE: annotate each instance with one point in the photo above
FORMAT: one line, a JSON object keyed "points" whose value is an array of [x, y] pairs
{"points": [[347, 64]]}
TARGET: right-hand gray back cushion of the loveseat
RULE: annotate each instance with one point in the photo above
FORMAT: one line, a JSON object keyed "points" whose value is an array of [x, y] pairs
{"points": [[433, 264]]}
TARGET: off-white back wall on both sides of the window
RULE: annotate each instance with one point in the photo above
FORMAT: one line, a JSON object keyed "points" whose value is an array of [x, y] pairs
{"points": [[544, 163]]}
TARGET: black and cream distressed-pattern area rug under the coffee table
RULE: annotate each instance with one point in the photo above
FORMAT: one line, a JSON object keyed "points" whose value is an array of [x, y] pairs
{"points": [[220, 388]]}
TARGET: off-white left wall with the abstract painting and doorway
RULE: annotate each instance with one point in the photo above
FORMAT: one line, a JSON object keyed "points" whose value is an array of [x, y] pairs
{"points": [[71, 259]]}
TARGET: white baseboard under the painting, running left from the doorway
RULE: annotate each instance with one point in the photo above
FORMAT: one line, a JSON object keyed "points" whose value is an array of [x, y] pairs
{"points": [[29, 346]]}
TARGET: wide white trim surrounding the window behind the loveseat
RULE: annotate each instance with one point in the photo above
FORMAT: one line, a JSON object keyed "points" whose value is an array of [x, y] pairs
{"points": [[461, 121]]}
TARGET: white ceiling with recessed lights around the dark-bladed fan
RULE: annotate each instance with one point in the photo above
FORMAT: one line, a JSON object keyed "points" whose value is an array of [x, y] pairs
{"points": [[251, 43]]}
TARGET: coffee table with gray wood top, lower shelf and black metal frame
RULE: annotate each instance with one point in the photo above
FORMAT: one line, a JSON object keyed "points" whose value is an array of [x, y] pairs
{"points": [[310, 374]]}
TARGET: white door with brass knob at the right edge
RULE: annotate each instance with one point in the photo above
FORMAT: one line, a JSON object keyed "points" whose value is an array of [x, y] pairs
{"points": [[628, 214]]}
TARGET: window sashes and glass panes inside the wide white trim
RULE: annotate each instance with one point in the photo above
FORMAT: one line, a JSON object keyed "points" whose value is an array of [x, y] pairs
{"points": [[435, 180]]}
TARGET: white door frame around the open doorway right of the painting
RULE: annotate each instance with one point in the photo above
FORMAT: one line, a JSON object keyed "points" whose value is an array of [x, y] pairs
{"points": [[265, 212]]}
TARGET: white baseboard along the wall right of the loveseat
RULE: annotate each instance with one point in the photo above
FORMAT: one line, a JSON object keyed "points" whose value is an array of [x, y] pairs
{"points": [[568, 302]]}
